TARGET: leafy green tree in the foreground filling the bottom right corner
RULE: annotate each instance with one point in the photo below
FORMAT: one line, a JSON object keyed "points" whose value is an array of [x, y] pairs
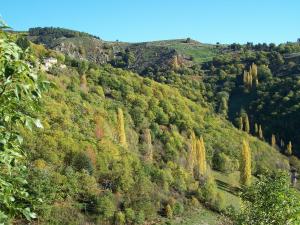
{"points": [[270, 201]]}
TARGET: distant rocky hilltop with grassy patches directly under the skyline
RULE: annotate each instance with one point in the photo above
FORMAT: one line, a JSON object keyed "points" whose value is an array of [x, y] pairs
{"points": [[162, 55]]}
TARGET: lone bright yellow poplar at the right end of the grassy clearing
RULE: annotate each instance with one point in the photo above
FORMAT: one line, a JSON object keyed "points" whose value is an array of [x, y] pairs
{"points": [[245, 164]]}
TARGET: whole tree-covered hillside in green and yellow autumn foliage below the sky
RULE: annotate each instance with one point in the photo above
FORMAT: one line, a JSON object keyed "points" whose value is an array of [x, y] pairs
{"points": [[149, 133]]}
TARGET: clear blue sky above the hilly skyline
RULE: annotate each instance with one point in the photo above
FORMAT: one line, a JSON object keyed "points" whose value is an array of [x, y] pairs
{"points": [[208, 21]]}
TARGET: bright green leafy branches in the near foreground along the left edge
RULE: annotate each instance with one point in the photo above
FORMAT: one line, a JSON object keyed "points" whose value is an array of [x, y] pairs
{"points": [[20, 91]]}
